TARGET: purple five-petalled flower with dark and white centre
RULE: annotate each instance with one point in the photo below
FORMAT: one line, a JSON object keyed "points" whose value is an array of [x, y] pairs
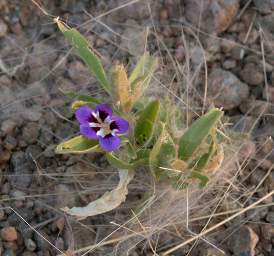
{"points": [[100, 124]]}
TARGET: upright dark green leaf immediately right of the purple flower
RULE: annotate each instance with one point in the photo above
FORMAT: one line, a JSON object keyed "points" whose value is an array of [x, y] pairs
{"points": [[145, 123]]}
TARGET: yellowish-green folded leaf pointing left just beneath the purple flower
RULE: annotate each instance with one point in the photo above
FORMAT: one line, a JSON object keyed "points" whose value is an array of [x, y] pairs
{"points": [[78, 145]]}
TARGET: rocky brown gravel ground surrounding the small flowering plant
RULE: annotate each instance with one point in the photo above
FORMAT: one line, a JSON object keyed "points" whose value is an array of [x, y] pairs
{"points": [[234, 38]]}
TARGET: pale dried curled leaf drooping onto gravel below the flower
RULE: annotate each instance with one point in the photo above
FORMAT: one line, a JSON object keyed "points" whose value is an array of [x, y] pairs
{"points": [[109, 201]]}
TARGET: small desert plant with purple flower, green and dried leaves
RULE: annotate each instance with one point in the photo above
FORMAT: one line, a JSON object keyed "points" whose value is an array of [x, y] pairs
{"points": [[134, 130]]}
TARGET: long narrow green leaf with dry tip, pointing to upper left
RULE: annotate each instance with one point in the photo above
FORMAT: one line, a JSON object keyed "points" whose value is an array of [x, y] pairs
{"points": [[83, 49]]}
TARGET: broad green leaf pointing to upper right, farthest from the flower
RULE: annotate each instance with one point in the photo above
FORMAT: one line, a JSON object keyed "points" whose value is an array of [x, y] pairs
{"points": [[197, 133]]}
